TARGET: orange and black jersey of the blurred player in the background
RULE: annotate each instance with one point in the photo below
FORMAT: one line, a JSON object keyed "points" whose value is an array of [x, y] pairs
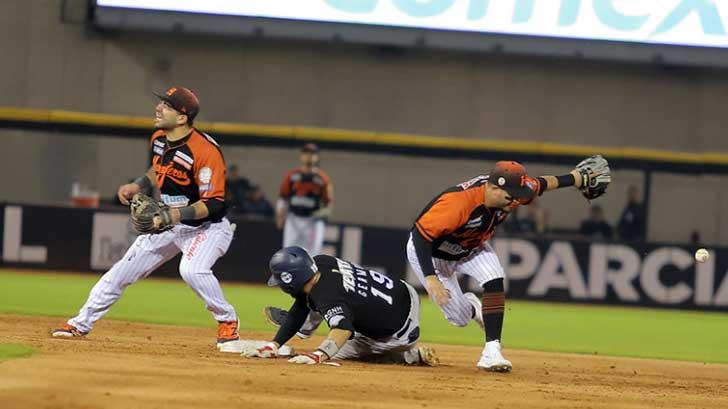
{"points": [[305, 192]]}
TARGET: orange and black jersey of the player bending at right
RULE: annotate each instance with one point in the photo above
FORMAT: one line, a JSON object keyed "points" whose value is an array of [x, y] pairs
{"points": [[456, 222]]}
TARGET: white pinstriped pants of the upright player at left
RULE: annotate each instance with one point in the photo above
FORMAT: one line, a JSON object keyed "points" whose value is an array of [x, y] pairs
{"points": [[200, 246]]}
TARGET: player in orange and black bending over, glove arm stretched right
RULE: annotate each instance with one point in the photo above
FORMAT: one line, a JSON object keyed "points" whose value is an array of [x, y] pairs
{"points": [[451, 235]]}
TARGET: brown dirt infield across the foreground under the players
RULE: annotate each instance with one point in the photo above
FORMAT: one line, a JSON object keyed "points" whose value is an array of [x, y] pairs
{"points": [[130, 365]]}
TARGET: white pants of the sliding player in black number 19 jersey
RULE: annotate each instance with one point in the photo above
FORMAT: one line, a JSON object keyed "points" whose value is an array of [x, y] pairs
{"points": [[399, 348]]}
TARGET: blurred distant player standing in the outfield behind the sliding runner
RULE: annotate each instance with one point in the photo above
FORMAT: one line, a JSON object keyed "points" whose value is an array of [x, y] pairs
{"points": [[305, 201]]}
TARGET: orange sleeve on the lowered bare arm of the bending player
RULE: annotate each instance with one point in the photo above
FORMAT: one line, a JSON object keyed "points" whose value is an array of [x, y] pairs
{"points": [[445, 216]]}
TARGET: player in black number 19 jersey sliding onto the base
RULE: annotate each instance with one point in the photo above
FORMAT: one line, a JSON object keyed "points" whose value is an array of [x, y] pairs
{"points": [[371, 316]]}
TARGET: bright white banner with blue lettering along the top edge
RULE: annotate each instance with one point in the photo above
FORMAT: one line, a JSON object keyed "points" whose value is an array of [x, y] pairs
{"points": [[677, 22]]}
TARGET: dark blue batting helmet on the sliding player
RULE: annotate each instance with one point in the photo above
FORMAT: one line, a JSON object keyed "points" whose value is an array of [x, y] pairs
{"points": [[291, 268]]}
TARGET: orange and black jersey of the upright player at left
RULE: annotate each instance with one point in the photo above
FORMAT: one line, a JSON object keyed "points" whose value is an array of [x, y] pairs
{"points": [[189, 170]]}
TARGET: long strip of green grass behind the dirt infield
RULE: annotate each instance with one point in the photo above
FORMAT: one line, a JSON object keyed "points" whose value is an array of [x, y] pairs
{"points": [[635, 332]]}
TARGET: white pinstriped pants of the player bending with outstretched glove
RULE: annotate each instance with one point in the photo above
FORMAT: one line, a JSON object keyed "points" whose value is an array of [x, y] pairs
{"points": [[482, 264]]}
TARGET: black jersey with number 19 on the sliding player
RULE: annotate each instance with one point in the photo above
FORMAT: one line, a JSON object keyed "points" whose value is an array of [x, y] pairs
{"points": [[356, 299]]}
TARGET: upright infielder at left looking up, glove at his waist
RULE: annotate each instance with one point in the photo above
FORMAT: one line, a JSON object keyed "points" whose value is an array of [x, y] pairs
{"points": [[189, 171]]}
